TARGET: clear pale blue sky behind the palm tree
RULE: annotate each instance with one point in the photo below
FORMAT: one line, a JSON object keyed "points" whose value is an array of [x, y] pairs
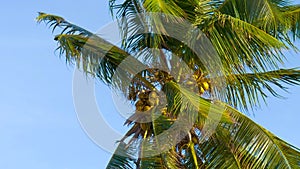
{"points": [[38, 124]]}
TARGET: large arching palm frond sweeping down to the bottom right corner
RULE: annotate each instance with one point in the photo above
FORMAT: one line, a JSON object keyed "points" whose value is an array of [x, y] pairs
{"points": [[242, 142]]}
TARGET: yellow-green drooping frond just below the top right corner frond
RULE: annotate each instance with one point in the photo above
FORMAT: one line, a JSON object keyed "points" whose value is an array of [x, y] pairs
{"points": [[243, 46]]}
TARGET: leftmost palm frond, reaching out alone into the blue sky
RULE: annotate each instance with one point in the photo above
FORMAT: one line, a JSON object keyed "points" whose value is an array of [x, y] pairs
{"points": [[93, 54]]}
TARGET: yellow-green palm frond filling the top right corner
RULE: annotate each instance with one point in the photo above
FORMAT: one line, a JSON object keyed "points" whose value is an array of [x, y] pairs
{"points": [[277, 18]]}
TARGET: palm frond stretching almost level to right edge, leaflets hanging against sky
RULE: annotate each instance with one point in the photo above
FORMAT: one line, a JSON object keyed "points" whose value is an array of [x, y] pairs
{"points": [[249, 88]]}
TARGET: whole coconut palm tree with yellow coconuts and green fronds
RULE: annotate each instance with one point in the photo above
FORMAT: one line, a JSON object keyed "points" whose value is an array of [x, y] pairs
{"points": [[248, 38]]}
